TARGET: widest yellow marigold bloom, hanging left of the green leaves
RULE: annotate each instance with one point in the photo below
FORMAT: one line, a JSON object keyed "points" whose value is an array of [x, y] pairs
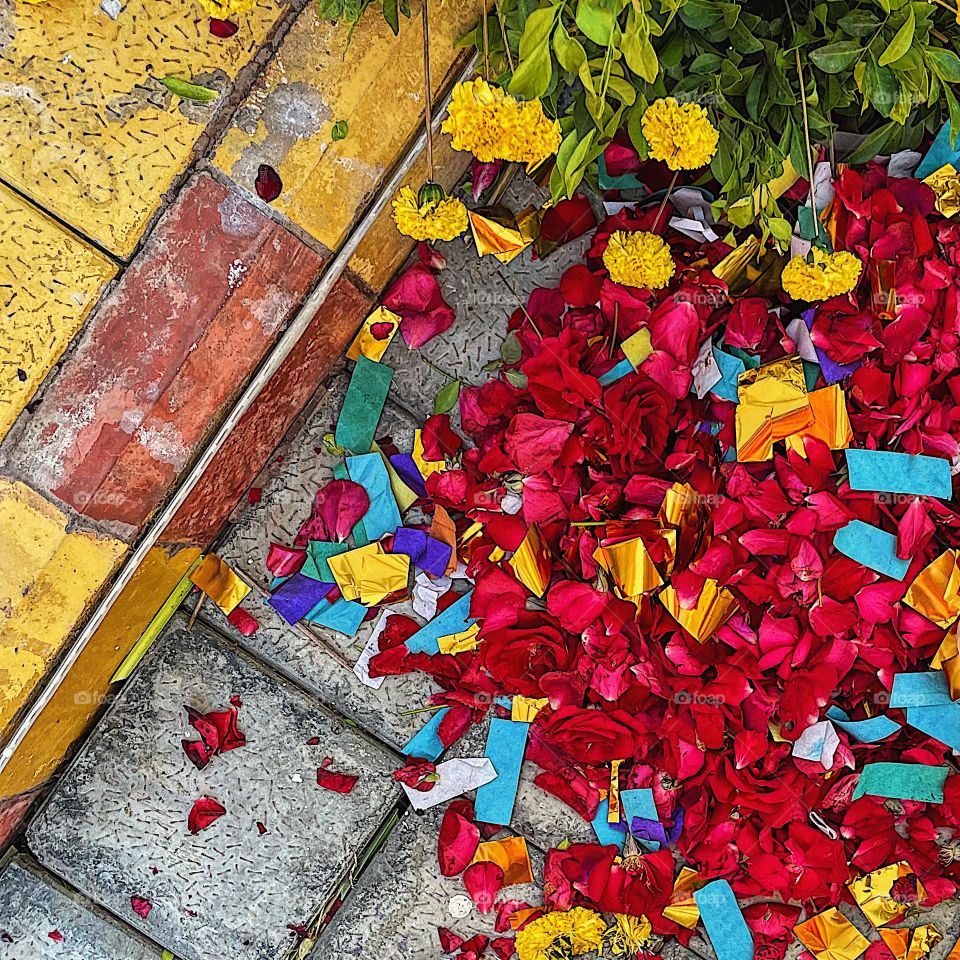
{"points": [[492, 125]]}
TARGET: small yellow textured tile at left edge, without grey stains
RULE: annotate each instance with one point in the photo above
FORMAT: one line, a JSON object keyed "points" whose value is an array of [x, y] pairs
{"points": [[49, 282]]}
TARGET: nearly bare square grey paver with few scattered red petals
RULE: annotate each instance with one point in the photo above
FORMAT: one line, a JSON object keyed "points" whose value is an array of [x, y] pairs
{"points": [[116, 825]]}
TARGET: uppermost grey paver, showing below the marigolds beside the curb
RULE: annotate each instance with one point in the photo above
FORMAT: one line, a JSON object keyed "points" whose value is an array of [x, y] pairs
{"points": [[483, 302]]}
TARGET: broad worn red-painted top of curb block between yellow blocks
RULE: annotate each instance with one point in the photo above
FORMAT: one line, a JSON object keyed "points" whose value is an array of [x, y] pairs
{"points": [[171, 345]]}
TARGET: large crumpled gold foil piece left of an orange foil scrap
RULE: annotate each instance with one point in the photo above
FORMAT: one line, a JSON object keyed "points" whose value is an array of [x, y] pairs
{"points": [[773, 405]]}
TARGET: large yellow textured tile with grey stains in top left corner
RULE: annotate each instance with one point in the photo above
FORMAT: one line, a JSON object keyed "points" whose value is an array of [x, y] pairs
{"points": [[86, 129]]}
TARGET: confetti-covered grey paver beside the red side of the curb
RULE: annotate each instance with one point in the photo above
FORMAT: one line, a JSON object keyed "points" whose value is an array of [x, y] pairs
{"points": [[285, 504]]}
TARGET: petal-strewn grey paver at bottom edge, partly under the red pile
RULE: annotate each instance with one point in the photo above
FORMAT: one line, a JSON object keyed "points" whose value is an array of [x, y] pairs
{"points": [[400, 901]]}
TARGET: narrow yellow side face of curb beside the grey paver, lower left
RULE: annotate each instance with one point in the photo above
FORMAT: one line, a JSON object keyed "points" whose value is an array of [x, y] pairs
{"points": [[76, 702]]}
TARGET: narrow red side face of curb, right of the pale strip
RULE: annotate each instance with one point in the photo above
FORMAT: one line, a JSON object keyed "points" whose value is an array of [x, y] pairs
{"points": [[249, 446]]}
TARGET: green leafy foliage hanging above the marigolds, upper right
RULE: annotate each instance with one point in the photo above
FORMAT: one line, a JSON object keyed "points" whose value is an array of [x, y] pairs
{"points": [[880, 68]]}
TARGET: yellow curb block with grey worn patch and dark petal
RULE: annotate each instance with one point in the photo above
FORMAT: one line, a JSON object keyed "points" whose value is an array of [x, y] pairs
{"points": [[375, 84]]}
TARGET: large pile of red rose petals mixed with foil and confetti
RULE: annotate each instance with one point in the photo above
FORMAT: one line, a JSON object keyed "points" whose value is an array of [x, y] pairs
{"points": [[709, 727]]}
